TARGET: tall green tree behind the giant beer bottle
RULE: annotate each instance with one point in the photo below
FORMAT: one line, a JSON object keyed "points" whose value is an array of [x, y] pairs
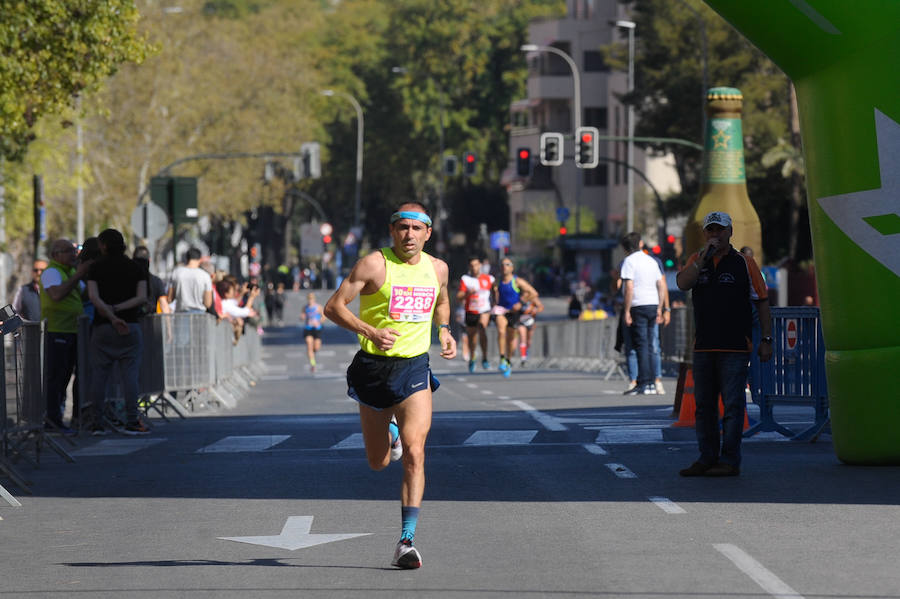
{"points": [[669, 101]]}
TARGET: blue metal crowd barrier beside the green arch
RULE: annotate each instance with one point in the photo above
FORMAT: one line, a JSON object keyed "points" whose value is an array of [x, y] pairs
{"points": [[796, 373]]}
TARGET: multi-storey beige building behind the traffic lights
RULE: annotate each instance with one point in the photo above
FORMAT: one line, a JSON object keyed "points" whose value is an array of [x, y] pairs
{"points": [[598, 196]]}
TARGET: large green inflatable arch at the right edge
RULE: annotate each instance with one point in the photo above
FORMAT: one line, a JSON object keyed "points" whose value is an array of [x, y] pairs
{"points": [[843, 59]]}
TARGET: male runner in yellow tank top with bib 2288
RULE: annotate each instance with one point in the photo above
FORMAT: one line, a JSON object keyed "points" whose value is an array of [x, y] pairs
{"points": [[401, 290]]}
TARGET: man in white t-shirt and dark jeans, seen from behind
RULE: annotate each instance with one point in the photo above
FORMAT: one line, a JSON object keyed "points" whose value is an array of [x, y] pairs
{"points": [[644, 290]]}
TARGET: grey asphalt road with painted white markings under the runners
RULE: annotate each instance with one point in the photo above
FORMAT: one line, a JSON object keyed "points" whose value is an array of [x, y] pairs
{"points": [[547, 484]]}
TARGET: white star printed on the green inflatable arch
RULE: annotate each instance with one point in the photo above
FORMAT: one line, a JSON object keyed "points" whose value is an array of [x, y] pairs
{"points": [[849, 210]]}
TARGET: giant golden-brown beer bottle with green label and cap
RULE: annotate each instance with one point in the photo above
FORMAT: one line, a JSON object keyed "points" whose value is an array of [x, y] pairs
{"points": [[724, 183]]}
